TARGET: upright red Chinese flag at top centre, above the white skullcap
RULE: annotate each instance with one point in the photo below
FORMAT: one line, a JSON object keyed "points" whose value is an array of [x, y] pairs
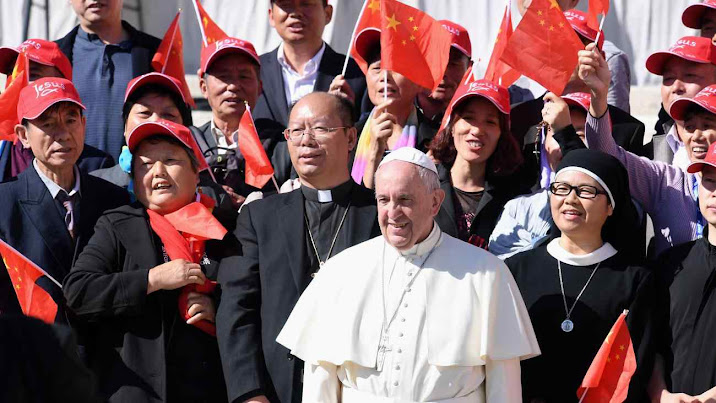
{"points": [[413, 44]]}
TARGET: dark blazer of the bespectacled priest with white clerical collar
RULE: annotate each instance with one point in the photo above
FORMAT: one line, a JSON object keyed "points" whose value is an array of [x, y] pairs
{"points": [[260, 288]]}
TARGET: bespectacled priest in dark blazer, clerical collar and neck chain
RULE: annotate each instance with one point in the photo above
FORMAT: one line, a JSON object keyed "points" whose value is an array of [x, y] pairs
{"points": [[284, 239]]}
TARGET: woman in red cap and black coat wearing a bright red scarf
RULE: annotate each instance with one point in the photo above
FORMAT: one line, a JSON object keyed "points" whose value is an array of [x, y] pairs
{"points": [[144, 283]]}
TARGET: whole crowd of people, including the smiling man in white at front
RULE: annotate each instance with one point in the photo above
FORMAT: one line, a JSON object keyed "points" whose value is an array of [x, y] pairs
{"points": [[469, 243]]}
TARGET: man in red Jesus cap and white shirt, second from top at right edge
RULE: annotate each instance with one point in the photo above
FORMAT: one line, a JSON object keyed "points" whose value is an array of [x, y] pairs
{"points": [[686, 68]]}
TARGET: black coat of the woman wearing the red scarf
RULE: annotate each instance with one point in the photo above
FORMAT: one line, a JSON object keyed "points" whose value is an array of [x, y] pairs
{"points": [[127, 347]]}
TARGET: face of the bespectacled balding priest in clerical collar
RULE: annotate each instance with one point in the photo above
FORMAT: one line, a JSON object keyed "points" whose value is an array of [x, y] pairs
{"points": [[319, 157]]}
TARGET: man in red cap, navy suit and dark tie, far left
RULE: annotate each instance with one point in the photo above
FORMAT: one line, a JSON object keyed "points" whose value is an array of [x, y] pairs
{"points": [[50, 209]]}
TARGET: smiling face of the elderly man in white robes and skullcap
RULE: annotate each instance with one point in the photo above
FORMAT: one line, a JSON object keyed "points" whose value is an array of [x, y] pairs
{"points": [[405, 206]]}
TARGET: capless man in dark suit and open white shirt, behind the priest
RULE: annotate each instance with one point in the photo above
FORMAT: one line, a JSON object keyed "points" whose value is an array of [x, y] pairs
{"points": [[303, 62]]}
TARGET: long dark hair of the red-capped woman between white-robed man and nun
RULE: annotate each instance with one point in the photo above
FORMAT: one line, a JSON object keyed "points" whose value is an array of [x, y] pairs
{"points": [[504, 161]]}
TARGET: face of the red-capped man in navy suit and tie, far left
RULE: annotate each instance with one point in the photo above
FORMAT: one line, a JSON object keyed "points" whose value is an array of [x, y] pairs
{"points": [[56, 137]]}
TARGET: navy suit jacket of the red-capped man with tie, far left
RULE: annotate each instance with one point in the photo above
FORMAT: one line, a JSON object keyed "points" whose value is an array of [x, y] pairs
{"points": [[32, 224]]}
